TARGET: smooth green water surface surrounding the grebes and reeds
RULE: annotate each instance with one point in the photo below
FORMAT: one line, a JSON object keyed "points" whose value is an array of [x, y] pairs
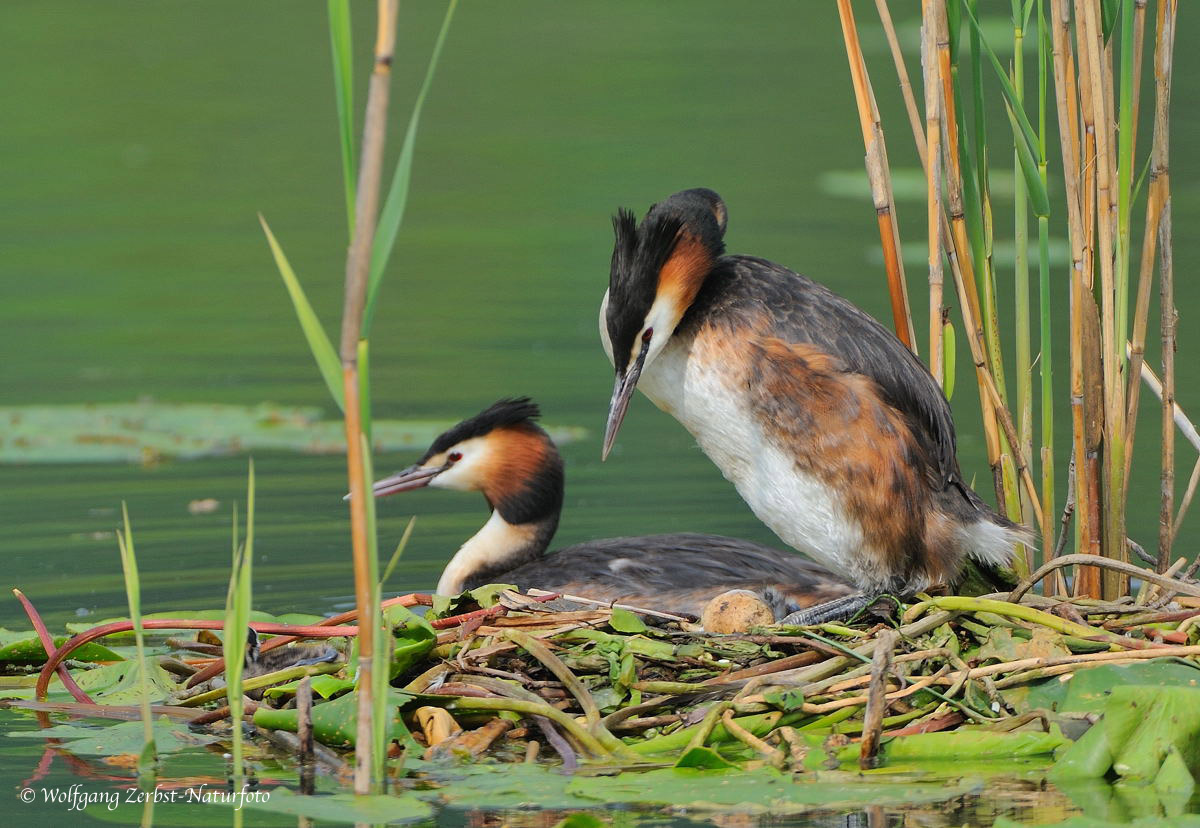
{"points": [[141, 140]]}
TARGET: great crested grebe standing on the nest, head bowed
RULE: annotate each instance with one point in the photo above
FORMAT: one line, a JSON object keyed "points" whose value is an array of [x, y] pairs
{"points": [[832, 430]]}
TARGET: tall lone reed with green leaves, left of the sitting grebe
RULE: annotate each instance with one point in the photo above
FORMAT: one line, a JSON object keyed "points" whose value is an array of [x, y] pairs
{"points": [[375, 223]]}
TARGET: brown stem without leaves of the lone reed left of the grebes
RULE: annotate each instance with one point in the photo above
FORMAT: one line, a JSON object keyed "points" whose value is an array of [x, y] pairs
{"points": [[358, 261]]}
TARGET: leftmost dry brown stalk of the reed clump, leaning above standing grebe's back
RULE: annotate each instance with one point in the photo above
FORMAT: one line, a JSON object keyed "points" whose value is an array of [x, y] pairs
{"points": [[880, 177]]}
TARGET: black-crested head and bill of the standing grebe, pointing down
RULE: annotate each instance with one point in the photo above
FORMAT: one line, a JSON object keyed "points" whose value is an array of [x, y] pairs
{"points": [[658, 268]]}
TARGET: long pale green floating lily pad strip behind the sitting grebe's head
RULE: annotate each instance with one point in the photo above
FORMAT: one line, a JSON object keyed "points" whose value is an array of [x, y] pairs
{"points": [[148, 431]]}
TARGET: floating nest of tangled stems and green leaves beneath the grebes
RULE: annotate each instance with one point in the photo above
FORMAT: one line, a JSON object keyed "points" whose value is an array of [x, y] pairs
{"points": [[506, 677]]}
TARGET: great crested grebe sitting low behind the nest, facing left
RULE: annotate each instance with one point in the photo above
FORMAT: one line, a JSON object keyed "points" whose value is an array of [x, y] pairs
{"points": [[506, 455]]}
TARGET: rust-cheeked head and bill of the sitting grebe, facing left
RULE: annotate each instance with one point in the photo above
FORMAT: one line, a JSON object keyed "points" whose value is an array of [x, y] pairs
{"points": [[502, 453]]}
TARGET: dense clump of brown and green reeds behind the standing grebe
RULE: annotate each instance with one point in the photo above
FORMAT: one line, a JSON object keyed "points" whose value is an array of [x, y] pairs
{"points": [[1096, 103]]}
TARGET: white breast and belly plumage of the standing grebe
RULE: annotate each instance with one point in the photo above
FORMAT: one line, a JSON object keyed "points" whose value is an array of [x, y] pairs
{"points": [[800, 508]]}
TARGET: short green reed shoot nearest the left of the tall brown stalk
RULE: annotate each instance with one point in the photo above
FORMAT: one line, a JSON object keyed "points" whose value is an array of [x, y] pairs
{"points": [[237, 623]]}
